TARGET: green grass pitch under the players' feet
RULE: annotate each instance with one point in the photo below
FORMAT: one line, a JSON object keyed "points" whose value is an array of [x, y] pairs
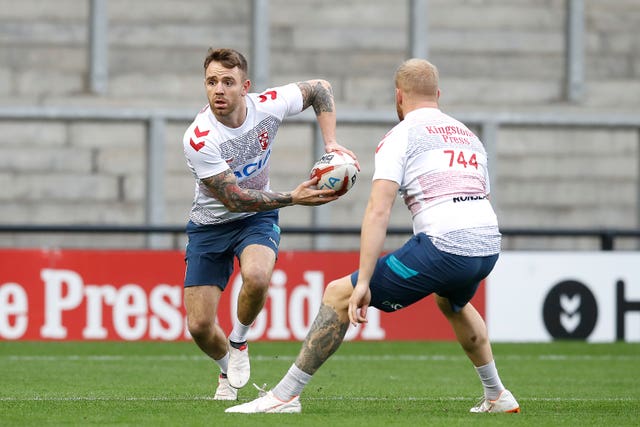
{"points": [[364, 384]]}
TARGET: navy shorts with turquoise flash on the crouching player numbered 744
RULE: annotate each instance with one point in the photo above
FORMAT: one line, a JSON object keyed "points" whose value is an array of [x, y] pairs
{"points": [[419, 269]]}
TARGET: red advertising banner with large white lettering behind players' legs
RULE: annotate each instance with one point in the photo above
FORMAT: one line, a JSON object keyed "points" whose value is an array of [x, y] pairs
{"points": [[137, 295]]}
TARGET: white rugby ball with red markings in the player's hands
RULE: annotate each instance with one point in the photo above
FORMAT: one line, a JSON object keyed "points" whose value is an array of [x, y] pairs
{"points": [[336, 171]]}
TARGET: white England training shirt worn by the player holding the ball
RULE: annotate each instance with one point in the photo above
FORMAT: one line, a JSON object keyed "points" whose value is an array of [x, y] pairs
{"points": [[211, 148]]}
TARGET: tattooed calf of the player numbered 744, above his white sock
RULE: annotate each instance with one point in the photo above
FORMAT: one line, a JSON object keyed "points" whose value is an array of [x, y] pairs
{"points": [[324, 338]]}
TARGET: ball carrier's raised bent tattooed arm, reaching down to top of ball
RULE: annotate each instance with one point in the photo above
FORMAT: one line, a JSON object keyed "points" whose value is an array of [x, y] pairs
{"points": [[319, 94]]}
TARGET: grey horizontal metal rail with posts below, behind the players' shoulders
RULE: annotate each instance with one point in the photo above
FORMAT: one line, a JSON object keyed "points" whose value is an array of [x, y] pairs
{"points": [[489, 124]]}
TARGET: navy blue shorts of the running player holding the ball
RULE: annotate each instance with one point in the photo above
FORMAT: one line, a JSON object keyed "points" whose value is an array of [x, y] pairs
{"points": [[211, 248]]}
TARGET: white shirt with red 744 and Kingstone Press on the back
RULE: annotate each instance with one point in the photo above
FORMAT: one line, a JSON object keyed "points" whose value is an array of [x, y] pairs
{"points": [[441, 167]]}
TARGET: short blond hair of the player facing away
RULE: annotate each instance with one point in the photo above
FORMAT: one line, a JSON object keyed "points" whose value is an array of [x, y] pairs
{"points": [[418, 77]]}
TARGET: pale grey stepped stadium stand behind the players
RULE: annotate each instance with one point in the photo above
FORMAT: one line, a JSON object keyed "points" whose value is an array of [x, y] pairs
{"points": [[561, 120]]}
